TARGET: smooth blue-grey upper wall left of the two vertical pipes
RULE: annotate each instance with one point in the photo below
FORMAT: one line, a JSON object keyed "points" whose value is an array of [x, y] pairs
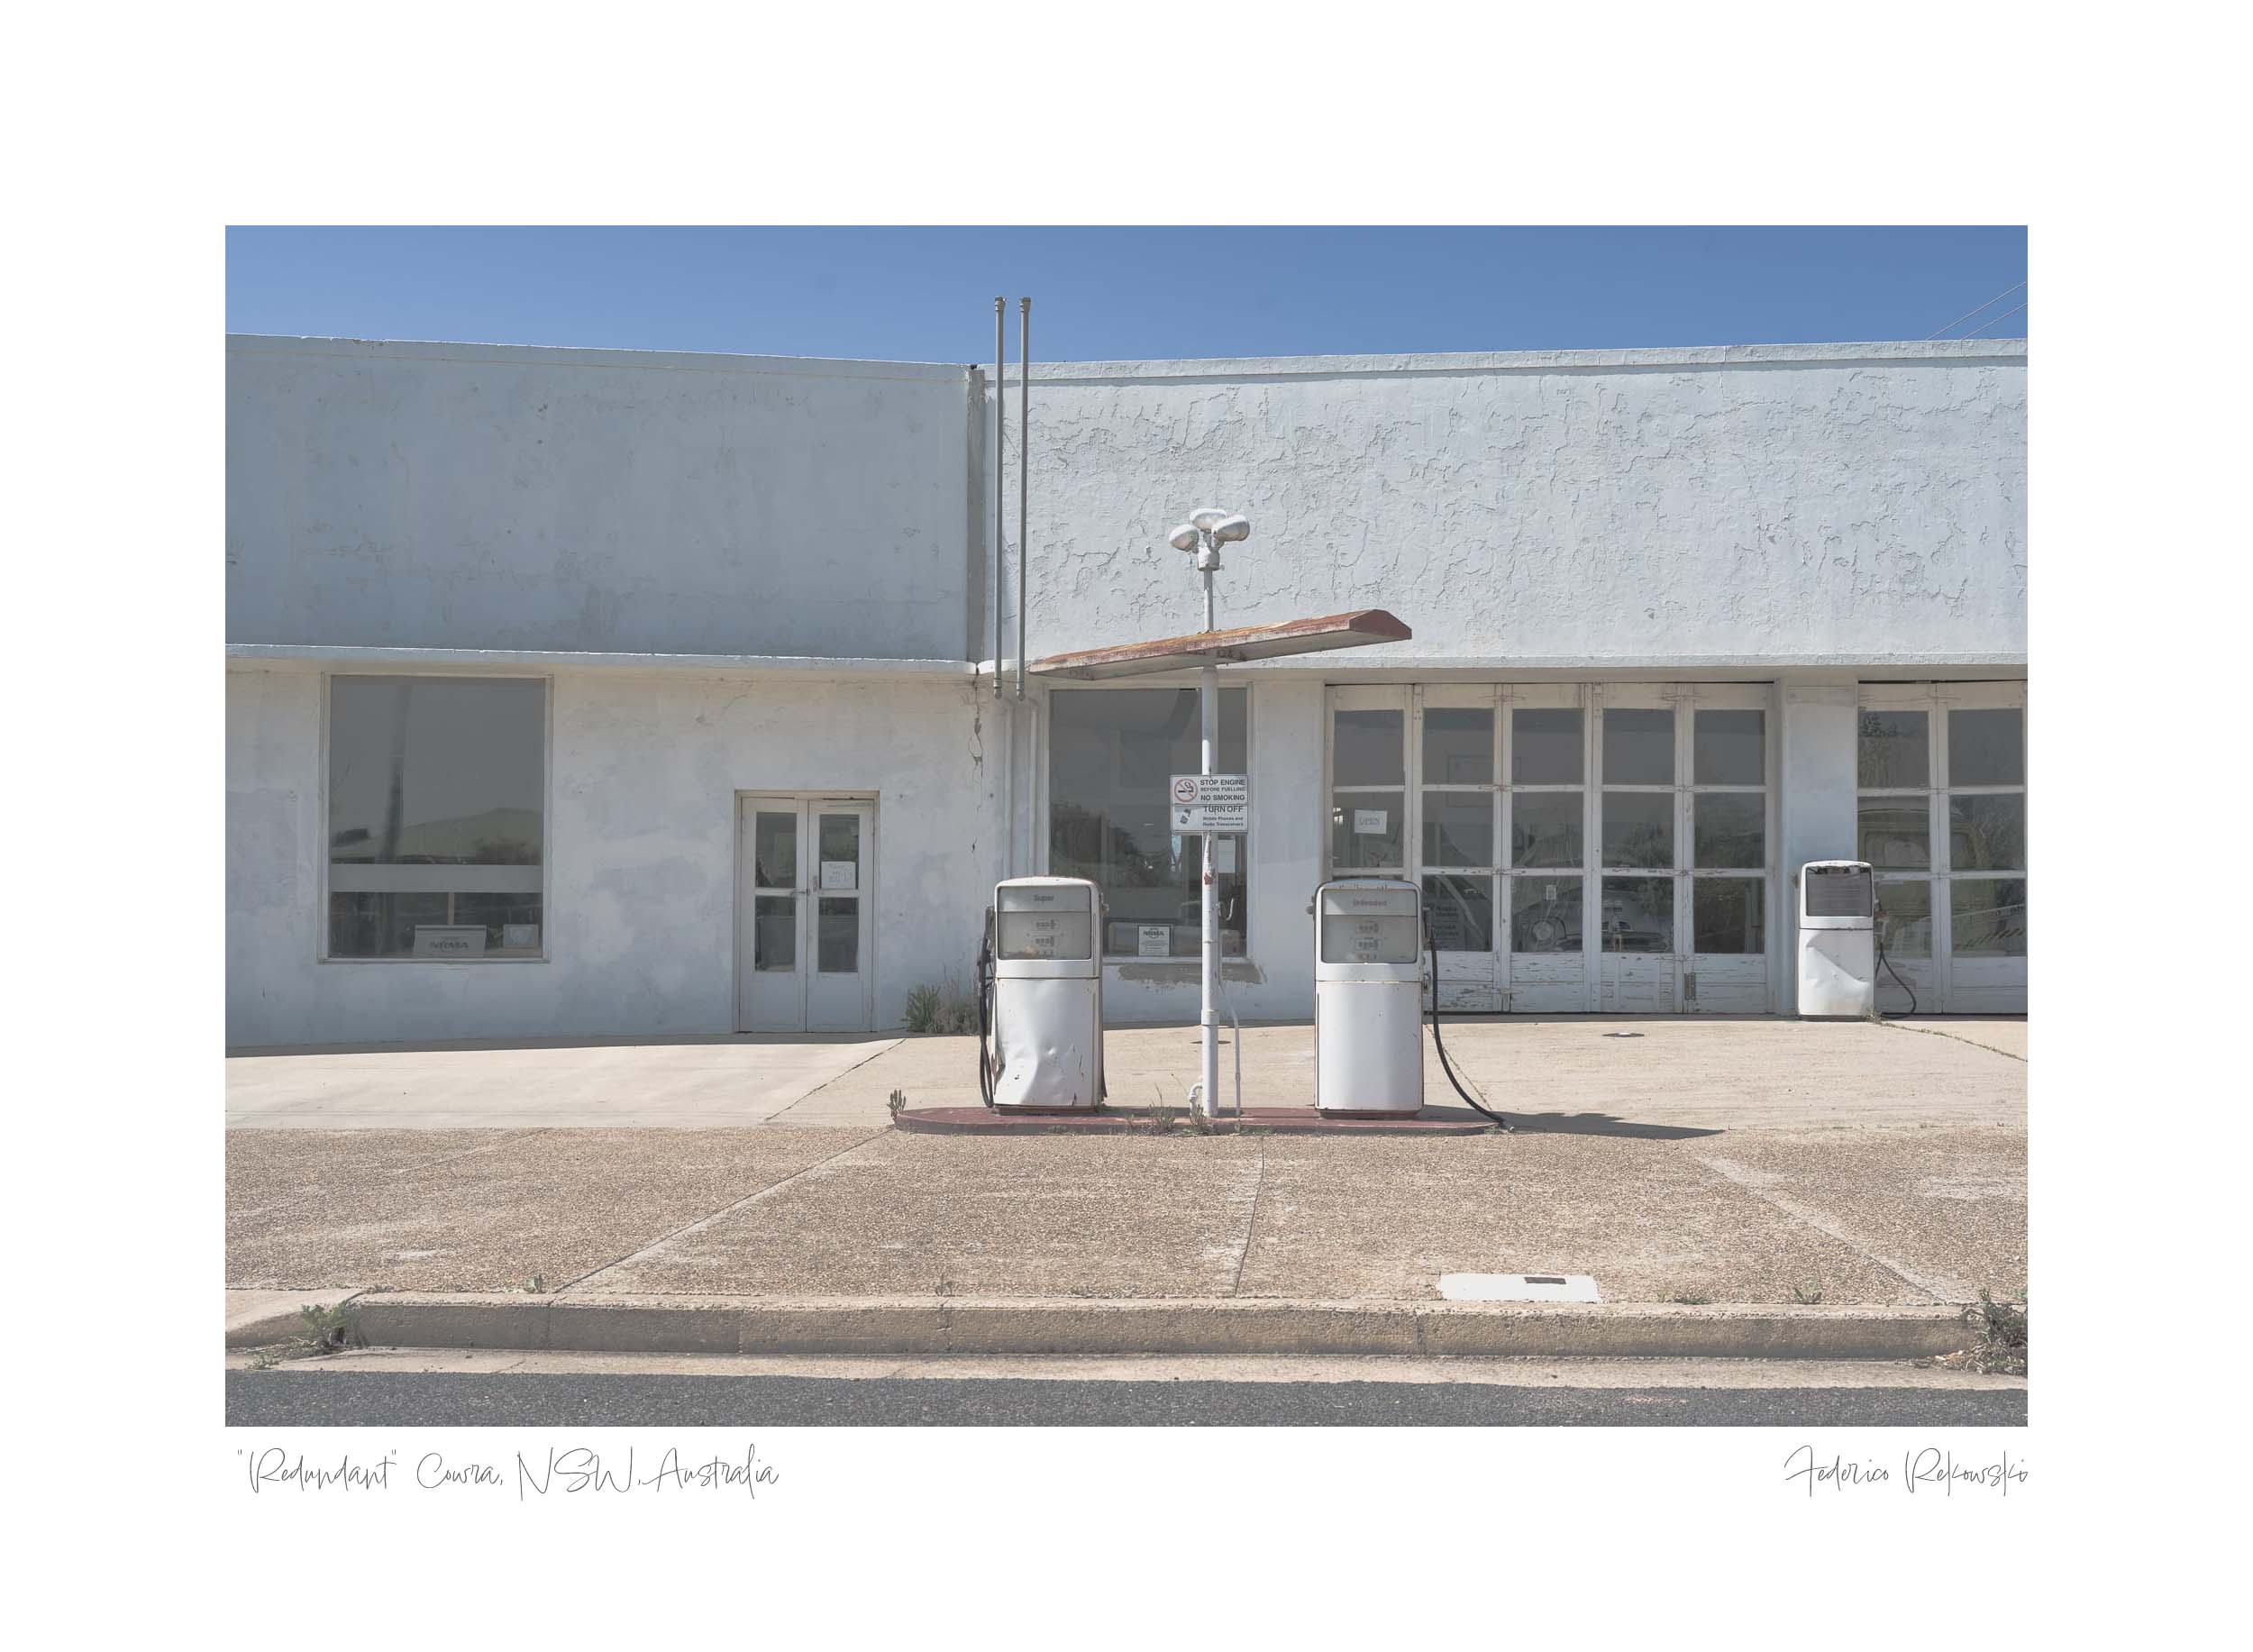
{"points": [[598, 501]]}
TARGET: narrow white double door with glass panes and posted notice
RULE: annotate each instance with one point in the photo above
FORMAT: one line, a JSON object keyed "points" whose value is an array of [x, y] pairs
{"points": [[805, 914]]}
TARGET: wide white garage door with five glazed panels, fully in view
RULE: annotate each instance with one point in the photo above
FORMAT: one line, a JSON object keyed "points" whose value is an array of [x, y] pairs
{"points": [[1580, 846]]}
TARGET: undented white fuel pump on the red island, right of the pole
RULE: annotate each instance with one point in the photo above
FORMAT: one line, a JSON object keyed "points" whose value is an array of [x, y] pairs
{"points": [[1369, 997]]}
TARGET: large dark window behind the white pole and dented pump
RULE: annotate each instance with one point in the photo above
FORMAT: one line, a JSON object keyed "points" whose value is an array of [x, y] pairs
{"points": [[1112, 756]]}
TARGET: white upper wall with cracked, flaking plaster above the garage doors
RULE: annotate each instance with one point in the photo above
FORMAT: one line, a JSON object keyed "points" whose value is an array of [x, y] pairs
{"points": [[1790, 504]]}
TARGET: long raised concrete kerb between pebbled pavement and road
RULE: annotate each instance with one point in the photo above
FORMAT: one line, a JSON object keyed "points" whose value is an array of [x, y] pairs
{"points": [[927, 1326]]}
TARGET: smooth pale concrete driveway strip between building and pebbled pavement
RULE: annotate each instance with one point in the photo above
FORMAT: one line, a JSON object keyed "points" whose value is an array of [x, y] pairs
{"points": [[1578, 1074]]}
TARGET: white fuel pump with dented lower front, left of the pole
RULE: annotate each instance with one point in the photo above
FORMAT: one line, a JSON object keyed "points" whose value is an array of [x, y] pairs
{"points": [[1044, 997]]}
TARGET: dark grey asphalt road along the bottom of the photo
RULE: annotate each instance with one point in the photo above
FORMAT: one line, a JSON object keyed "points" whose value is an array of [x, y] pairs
{"points": [[425, 1401]]}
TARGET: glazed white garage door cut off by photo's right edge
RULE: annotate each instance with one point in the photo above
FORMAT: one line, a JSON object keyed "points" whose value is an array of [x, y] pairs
{"points": [[1943, 824]]}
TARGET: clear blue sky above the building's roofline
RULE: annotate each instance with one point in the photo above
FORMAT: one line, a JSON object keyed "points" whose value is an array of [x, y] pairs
{"points": [[1123, 294]]}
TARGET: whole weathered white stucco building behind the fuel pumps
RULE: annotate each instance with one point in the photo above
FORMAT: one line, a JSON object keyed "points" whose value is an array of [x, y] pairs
{"points": [[609, 693]]}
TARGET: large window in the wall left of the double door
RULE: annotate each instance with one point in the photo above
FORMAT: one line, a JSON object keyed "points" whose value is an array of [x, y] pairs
{"points": [[436, 817]]}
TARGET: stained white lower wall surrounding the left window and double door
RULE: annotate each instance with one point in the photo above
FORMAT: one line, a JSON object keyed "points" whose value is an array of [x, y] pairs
{"points": [[641, 873]]}
